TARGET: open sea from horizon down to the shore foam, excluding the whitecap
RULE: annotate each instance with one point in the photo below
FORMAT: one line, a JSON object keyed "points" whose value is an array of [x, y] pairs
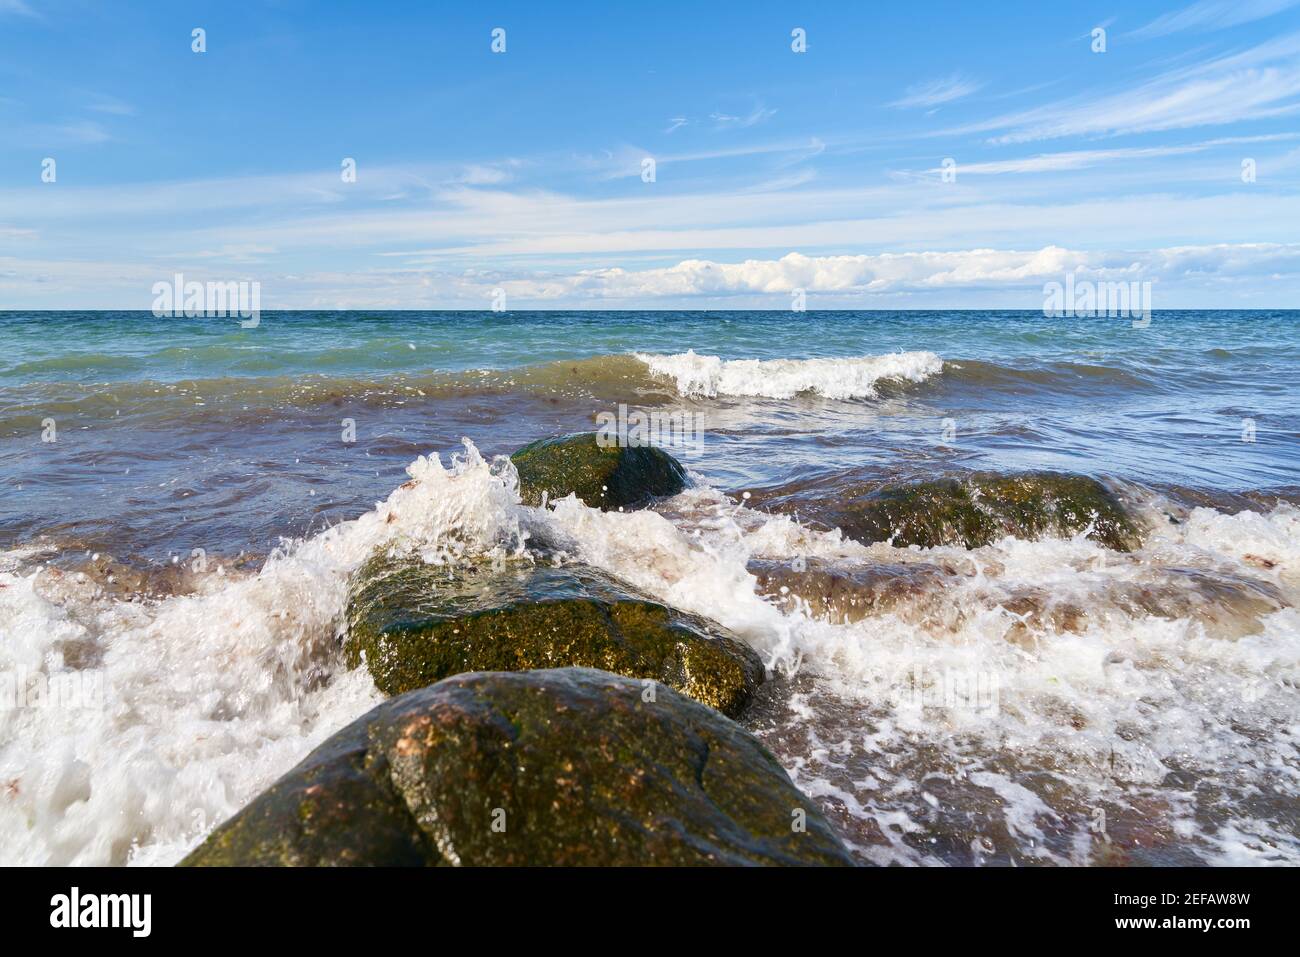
{"points": [[233, 431]]}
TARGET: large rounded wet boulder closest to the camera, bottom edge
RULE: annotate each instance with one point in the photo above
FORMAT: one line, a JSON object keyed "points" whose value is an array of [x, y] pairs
{"points": [[565, 767]]}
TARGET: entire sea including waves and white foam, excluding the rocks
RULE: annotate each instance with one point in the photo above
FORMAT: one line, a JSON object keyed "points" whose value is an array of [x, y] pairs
{"points": [[185, 501]]}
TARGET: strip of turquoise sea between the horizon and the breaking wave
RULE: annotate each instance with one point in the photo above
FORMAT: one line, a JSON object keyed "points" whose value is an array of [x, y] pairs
{"points": [[1182, 350]]}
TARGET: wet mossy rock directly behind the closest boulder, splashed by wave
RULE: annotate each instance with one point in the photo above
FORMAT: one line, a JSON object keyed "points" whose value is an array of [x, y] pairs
{"points": [[418, 623]]}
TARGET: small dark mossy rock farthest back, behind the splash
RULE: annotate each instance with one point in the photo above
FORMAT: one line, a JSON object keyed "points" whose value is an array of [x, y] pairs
{"points": [[603, 478]]}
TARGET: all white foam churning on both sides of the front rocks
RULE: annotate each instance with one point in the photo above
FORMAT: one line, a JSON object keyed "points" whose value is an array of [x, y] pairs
{"points": [[215, 695]]}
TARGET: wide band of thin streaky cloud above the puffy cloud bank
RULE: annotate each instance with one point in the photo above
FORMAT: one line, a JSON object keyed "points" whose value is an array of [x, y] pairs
{"points": [[313, 218]]}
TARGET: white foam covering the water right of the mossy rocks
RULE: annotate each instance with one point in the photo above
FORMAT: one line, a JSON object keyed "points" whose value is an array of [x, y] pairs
{"points": [[1112, 709]]}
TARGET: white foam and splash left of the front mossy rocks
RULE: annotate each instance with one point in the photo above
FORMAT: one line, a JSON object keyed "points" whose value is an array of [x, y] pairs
{"points": [[210, 696]]}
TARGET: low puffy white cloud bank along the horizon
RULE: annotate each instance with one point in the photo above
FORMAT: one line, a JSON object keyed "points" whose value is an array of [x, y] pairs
{"points": [[1260, 272]]}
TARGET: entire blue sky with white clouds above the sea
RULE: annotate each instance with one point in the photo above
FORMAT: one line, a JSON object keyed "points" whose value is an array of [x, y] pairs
{"points": [[912, 157]]}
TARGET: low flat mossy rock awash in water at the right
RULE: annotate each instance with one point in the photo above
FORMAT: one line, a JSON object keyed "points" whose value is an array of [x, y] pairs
{"points": [[972, 512]]}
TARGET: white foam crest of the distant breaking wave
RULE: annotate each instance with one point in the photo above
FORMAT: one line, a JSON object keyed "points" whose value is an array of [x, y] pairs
{"points": [[782, 379]]}
